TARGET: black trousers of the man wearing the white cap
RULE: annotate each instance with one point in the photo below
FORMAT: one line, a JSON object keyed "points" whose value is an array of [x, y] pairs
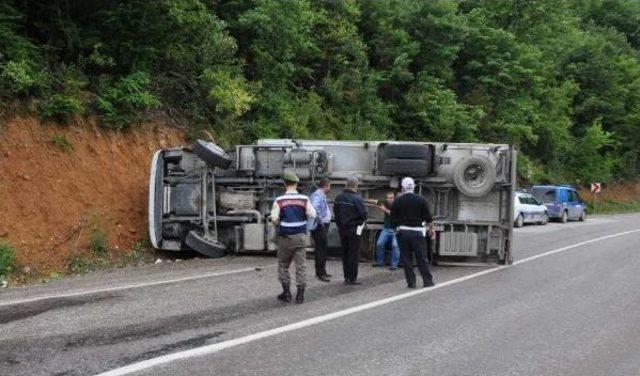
{"points": [[413, 244]]}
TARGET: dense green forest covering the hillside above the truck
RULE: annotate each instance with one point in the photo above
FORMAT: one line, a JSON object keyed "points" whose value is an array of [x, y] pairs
{"points": [[561, 80]]}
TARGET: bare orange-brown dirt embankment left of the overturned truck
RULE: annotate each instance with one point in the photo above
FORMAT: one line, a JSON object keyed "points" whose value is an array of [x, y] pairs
{"points": [[57, 182]]}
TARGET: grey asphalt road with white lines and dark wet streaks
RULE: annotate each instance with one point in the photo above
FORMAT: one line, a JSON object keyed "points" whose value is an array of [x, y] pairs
{"points": [[571, 312]]}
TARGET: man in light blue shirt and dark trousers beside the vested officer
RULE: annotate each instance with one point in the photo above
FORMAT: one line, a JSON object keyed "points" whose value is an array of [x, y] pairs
{"points": [[320, 227]]}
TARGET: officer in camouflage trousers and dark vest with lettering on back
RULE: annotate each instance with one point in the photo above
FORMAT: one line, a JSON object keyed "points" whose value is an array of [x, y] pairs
{"points": [[290, 213]]}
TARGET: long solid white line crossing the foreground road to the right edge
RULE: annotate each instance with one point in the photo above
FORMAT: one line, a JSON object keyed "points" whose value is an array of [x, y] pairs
{"points": [[217, 347]]}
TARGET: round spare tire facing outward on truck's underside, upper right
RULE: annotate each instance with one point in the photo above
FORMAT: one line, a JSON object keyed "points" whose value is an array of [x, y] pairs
{"points": [[474, 176]]}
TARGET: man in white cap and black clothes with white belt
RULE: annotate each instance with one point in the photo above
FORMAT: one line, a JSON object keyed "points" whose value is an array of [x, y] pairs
{"points": [[410, 213]]}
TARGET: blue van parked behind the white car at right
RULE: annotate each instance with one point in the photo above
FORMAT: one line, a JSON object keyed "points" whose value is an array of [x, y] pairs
{"points": [[563, 202]]}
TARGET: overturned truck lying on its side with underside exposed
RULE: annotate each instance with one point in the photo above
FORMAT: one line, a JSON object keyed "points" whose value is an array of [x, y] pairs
{"points": [[217, 202]]}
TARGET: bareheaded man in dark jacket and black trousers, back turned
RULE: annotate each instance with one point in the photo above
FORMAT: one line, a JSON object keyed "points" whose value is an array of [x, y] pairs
{"points": [[350, 213]]}
